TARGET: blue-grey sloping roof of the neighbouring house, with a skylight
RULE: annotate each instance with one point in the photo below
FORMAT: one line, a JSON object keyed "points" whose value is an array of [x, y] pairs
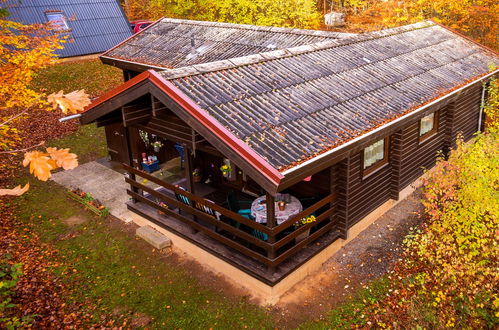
{"points": [[92, 26]]}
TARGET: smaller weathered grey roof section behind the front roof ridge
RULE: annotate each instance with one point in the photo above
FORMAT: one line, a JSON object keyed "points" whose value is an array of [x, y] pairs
{"points": [[173, 43]]}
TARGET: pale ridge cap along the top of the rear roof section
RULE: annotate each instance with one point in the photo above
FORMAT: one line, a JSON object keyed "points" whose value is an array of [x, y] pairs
{"points": [[316, 33]]}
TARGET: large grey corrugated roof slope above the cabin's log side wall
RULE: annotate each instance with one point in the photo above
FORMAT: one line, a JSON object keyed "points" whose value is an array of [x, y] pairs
{"points": [[294, 104]]}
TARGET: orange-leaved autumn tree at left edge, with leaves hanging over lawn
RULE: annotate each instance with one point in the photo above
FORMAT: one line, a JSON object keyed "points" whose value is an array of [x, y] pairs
{"points": [[24, 51]]}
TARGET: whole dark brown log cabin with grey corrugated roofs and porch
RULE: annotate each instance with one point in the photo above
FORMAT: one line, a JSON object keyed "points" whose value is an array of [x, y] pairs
{"points": [[286, 150]]}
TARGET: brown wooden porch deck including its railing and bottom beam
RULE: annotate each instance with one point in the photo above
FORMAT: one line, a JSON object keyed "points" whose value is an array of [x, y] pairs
{"points": [[266, 252]]}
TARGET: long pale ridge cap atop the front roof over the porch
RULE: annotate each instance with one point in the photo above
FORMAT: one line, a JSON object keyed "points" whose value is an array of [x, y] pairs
{"points": [[232, 63]]}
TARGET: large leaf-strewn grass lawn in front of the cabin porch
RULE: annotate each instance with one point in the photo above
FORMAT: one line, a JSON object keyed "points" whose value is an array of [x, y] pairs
{"points": [[123, 275]]}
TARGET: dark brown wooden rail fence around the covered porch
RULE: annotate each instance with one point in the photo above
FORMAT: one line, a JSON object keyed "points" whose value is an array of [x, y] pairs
{"points": [[221, 218]]}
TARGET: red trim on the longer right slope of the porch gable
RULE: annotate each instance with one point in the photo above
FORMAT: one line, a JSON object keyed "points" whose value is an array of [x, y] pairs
{"points": [[220, 131]]}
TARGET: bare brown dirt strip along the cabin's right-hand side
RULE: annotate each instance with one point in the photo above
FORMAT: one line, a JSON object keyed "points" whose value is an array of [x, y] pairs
{"points": [[370, 255]]}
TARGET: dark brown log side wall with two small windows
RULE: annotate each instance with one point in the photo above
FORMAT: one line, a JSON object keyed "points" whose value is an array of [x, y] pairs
{"points": [[408, 156]]}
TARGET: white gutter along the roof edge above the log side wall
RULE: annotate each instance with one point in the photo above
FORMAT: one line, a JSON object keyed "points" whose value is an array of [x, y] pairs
{"points": [[359, 138]]}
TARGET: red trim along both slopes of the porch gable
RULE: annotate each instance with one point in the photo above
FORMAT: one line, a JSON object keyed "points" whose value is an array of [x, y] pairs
{"points": [[202, 116]]}
